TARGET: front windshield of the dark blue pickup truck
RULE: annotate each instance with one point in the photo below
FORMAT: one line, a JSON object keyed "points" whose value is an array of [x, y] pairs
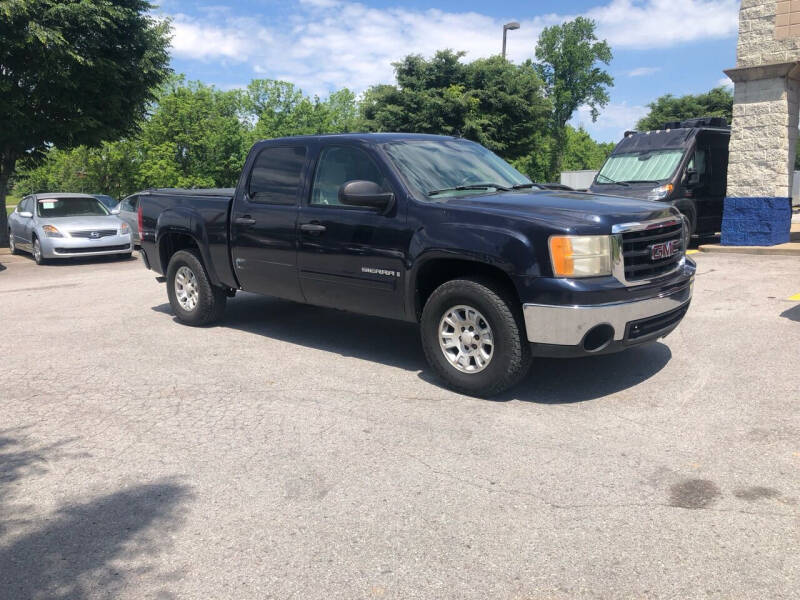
{"points": [[452, 168]]}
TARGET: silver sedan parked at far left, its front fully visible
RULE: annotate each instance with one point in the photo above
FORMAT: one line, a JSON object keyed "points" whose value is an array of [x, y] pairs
{"points": [[53, 226]]}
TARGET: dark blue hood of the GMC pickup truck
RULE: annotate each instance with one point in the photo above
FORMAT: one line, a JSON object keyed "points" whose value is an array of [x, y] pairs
{"points": [[570, 212]]}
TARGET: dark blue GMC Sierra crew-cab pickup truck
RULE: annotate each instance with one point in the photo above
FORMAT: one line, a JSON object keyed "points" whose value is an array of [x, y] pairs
{"points": [[430, 229]]}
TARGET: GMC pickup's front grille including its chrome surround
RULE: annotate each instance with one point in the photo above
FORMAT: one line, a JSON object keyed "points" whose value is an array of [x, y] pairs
{"points": [[636, 261]]}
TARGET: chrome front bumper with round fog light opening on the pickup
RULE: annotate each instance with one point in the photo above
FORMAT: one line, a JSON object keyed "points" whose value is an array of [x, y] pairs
{"points": [[596, 328]]}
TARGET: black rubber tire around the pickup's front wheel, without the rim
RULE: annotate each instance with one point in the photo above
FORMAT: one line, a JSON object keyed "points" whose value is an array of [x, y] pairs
{"points": [[511, 354]]}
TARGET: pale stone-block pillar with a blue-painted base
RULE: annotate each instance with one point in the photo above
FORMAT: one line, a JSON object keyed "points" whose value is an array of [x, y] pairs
{"points": [[765, 120]]}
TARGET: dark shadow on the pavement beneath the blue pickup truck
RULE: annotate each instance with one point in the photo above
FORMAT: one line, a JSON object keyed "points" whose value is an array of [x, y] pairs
{"points": [[397, 344]]}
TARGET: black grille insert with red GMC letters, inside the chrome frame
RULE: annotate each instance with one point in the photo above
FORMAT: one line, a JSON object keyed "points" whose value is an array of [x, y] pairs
{"points": [[652, 252]]}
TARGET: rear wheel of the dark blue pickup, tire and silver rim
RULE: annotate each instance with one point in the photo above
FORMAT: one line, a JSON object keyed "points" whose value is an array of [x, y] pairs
{"points": [[192, 297]]}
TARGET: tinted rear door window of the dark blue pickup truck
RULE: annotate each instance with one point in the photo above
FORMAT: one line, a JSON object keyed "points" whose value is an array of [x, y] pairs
{"points": [[275, 178]]}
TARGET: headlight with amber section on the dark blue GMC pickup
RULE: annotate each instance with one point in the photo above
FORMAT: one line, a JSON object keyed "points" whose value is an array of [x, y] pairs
{"points": [[580, 255]]}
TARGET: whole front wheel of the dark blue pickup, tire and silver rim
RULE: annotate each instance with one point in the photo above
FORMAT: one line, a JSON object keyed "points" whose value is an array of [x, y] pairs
{"points": [[474, 337]]}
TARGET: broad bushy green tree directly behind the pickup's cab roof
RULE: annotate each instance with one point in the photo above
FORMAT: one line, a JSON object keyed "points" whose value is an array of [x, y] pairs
{"points": [[492, 101]]}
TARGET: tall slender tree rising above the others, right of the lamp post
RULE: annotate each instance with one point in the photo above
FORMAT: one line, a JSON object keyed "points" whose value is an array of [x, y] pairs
{"points": [[570, 58]]}
